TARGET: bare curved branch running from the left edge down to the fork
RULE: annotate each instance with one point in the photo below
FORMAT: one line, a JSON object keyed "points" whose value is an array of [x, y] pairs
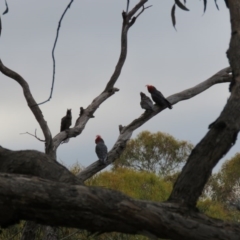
{"points": [[31, 104]]}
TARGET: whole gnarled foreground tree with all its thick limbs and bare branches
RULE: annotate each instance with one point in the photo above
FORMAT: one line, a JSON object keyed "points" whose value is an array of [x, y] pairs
{"points": [[49, 194]]}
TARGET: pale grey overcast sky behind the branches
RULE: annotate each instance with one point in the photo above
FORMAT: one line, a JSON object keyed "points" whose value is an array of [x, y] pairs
{"points": [[86, 54]]}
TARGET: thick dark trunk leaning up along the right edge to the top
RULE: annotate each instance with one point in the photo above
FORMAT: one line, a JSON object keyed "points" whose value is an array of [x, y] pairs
{"points": [[222, 134]]}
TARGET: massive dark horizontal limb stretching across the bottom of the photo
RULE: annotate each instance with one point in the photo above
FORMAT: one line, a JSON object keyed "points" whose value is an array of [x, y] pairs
{"points": [[102, 210]]}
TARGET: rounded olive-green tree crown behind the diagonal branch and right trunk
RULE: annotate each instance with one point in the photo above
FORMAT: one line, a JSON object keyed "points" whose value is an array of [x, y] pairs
{"points": [[158, 153]]}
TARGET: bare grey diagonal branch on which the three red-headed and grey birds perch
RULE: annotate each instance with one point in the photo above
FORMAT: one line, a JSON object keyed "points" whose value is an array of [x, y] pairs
{"points": [[126, 132]]}
